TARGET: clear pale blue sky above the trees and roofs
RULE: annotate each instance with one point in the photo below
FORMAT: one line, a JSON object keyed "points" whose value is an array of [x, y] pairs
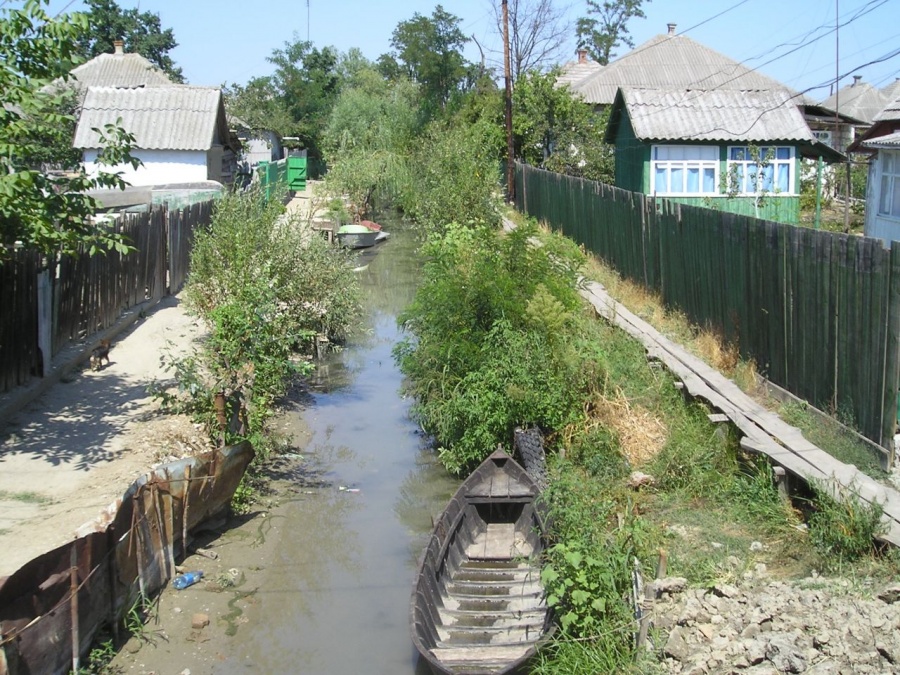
{"points": [[228, 41]]}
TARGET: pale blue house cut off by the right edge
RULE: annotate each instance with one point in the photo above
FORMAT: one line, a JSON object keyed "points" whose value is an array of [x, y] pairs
{"points": [[882, 142]]}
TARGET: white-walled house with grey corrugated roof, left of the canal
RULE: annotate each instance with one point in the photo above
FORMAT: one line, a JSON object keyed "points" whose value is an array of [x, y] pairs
{"points": [[180, 131]]}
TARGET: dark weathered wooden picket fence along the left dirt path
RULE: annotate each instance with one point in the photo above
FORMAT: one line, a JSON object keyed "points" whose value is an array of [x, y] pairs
{"points": [[90, 292]]}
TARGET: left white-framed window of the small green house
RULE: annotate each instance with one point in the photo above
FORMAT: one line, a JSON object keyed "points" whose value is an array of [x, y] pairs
{"points": [[685, 169]]}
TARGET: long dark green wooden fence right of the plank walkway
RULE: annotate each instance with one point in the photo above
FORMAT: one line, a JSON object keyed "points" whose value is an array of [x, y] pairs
{"points": [[819, 312]]}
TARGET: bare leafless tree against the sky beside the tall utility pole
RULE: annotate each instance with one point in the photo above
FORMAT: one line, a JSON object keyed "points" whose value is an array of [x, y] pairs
{"points": [[537, 33]]}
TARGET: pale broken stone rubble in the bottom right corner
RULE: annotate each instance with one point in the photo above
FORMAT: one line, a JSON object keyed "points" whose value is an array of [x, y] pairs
{"points": [[762, 626]]}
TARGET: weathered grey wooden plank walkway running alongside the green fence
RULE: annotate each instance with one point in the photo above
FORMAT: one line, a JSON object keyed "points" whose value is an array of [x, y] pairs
{"points": [[764, 431]]}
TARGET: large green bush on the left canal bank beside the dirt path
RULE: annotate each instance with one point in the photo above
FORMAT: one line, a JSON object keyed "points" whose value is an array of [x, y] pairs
{"points": [[266, 289]]}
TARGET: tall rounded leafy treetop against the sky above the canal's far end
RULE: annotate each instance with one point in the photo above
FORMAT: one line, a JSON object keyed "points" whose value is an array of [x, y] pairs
{"points": [[429, 50]]}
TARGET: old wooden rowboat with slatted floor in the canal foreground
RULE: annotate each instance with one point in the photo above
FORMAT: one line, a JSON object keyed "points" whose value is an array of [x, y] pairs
{"points": [[478, 605]]}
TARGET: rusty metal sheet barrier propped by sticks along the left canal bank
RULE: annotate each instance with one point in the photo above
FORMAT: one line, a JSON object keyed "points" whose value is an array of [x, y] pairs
{"points": [[128, 550]]}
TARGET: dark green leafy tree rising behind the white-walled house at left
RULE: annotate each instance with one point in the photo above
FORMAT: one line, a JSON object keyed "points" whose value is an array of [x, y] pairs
{"points": [[141, 31]]}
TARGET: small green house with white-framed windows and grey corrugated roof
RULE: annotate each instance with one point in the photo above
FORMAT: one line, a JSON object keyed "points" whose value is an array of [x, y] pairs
{"points": [[733, 150]]}
